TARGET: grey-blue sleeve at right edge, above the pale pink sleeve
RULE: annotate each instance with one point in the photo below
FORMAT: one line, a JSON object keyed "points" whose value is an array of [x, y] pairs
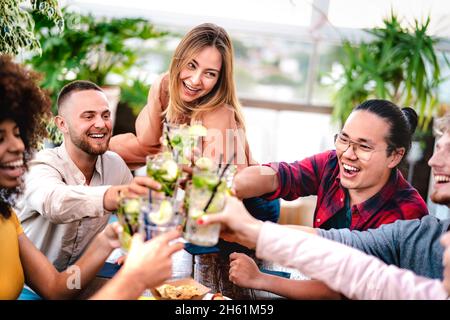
{"points": [[408, 244]]}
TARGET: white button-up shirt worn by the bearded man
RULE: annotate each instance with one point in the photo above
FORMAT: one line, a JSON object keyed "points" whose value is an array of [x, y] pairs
{"points": [[59, 212]]}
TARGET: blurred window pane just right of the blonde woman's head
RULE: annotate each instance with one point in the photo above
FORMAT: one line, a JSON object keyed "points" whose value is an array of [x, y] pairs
{"points": [[271, 68]]}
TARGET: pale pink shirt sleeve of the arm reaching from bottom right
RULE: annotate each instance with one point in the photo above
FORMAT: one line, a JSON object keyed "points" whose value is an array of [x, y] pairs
{"points": [[343, 269]]}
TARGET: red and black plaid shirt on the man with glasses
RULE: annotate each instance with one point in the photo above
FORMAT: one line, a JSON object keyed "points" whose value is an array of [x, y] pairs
{"points": [[319, 175]]}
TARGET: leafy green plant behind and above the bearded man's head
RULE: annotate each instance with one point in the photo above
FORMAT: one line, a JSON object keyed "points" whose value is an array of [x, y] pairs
{"points": [[90, 48]]}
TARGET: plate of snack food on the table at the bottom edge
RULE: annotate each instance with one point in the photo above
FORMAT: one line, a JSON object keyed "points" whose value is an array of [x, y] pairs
{"points": [[181, 289]]}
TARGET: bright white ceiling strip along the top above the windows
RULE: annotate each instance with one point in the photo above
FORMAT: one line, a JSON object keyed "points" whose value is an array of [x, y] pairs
{"points": [[274, 15]]}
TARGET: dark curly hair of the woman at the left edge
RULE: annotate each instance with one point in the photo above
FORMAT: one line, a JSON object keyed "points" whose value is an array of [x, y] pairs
{"points": [[24, 102]]}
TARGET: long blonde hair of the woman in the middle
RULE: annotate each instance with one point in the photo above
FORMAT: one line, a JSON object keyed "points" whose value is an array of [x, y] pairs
{"points": [[224, 92]]}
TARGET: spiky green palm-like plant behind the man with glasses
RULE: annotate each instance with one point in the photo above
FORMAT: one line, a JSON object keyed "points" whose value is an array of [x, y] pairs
{"points": [[398, 64]]}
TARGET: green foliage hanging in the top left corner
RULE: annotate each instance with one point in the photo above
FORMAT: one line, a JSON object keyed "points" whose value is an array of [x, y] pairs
{"points": [[17, 24]]}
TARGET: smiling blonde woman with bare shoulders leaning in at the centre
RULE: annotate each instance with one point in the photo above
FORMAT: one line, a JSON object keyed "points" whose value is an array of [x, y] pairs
{"points": [[199, 87]]}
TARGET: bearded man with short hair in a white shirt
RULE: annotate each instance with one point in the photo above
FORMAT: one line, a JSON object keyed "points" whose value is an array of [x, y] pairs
{"points": [[71, 190]]}
